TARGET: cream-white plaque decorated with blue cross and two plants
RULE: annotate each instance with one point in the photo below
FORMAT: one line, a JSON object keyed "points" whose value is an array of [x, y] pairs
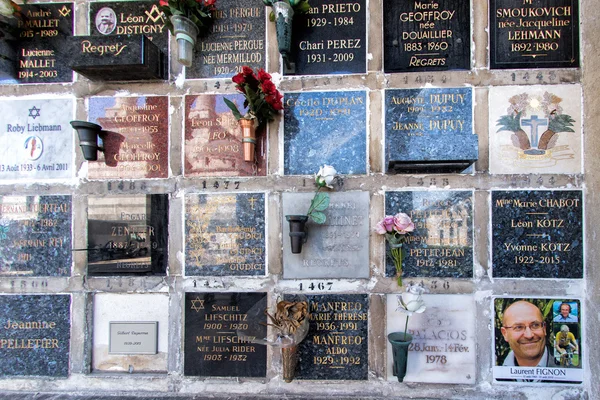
{"points": [[535, 129]]}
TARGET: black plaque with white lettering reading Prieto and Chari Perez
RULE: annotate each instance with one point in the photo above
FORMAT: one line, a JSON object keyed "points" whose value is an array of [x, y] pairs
{"points": [[330, 39]]}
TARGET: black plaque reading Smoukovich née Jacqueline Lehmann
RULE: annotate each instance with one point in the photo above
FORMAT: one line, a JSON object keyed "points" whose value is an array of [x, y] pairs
{"points": [[534, 34]]}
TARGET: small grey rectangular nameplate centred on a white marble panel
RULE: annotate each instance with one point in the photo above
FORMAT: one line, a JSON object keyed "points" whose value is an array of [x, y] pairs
{"points": [[133, 338]]}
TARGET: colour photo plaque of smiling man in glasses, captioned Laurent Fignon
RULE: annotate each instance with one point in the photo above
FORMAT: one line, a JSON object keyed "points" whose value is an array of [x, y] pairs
{"points": [[529, 346]]}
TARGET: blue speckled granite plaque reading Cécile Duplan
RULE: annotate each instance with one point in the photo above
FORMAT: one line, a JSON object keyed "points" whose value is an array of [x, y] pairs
{"points": [[325, 128]]}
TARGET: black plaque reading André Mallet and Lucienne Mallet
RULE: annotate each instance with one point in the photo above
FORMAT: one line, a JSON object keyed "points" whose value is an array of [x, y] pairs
{"points": [[42, 49]]}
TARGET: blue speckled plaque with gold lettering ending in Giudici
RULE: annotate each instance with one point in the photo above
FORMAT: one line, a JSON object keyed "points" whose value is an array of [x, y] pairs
{"points": [[225, 234]]}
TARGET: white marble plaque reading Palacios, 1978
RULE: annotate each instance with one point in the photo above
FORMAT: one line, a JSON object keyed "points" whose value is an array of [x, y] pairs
{"points": [[443, 347]]}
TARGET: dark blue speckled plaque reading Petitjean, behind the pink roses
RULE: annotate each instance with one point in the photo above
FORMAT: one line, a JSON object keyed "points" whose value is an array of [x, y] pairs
{"points": [[442, 243]]}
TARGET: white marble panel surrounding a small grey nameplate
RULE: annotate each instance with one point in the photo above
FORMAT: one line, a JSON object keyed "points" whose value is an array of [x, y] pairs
{"points": [[133, 308]]}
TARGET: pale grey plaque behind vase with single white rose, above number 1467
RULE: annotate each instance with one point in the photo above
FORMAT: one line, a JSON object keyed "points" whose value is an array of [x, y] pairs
{"points": [[339, 248]]}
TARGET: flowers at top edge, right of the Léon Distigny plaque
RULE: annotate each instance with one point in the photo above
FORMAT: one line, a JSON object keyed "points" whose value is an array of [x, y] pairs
{"points": [[200, 12]]}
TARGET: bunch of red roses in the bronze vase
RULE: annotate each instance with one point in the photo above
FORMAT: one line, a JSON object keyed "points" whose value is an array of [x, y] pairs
{"points": [[263, 100]]}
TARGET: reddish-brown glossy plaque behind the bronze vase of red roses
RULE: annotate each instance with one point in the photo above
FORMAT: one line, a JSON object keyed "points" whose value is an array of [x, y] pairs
{"points": [[213, 139]]}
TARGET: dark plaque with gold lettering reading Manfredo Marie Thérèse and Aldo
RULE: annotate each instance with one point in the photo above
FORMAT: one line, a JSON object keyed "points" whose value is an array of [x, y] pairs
{"points": [[336, 347]]}
